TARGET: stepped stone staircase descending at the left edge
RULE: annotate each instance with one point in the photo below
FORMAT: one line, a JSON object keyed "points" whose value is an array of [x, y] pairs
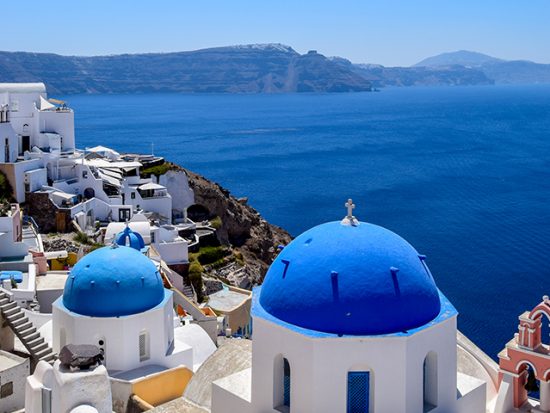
{"points": [[25, 331]]}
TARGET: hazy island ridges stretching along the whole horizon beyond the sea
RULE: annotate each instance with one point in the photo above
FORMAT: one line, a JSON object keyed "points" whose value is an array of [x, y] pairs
{"points": [[256, 68]]}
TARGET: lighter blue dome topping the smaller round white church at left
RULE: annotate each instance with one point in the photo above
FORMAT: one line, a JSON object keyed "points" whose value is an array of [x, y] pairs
{"points": [[111, 282]]}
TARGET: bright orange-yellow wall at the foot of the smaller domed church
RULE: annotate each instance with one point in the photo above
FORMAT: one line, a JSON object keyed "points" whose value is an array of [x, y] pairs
{"points": [[163, 387]]}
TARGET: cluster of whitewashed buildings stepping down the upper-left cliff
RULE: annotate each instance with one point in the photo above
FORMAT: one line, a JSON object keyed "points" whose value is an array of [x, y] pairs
{"points": [[38, 155]]}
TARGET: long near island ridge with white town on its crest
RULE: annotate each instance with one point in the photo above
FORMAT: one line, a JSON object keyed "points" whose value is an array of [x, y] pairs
{"points": [[268, 68]]}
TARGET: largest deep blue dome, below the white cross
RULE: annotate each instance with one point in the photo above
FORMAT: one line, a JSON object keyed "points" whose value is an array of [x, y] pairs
{"points": [[350, 280]]}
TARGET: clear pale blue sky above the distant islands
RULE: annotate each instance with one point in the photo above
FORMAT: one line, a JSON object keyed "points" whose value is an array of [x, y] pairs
{"points": [[390, 32]]}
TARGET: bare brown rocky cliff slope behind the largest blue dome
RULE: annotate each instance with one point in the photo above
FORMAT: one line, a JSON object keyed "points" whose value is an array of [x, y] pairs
{"points": [[242, 227]]}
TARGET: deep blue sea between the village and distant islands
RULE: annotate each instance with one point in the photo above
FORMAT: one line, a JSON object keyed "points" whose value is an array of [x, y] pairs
{"points": [[462, 173]]}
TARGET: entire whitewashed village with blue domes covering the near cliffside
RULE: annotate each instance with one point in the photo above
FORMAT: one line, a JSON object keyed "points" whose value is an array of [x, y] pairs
{"points": [[348, 319]]}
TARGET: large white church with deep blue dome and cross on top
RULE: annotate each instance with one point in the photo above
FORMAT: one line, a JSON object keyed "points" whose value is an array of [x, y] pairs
{"points": [[350, 319]]}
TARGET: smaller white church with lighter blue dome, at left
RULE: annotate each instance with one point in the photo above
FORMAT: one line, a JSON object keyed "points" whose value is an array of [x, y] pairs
{"points": [[115, 299]]}
